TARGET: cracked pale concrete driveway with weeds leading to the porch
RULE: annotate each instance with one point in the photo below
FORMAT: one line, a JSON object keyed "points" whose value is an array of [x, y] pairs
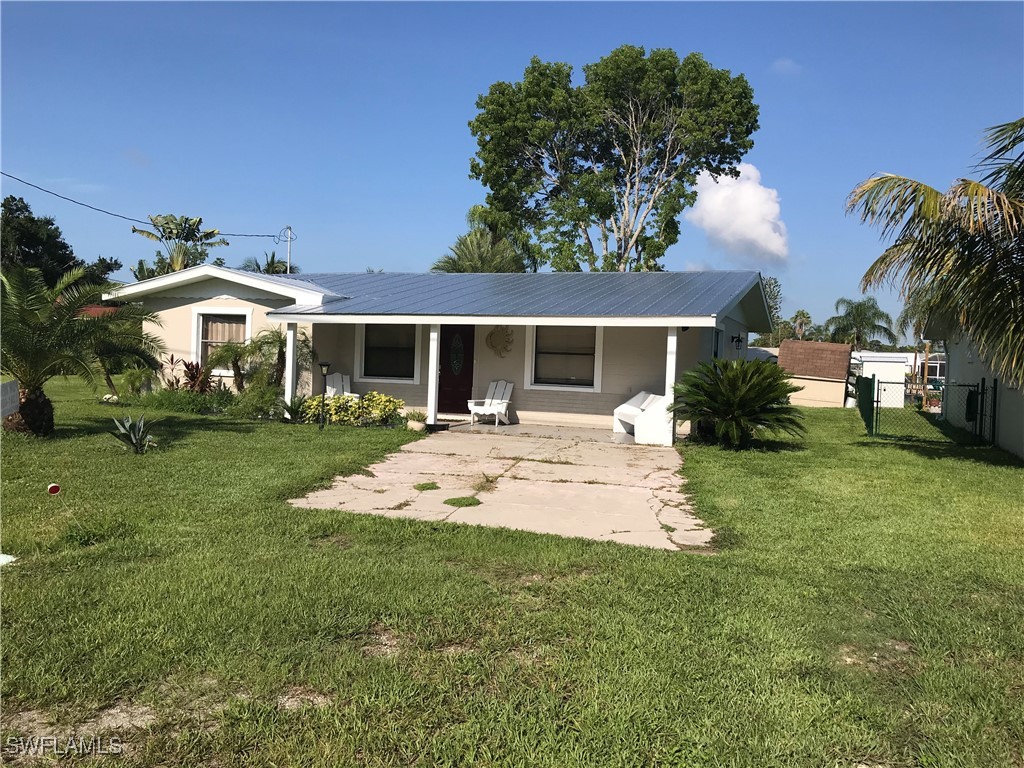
{"points": [[571, 483]]}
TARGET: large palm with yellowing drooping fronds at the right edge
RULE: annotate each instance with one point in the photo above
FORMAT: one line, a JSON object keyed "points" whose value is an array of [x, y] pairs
{"points": [[965, 244]]}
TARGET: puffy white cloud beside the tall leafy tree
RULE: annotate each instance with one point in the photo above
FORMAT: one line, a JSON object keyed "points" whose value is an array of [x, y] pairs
{"points": [[742, 217]]}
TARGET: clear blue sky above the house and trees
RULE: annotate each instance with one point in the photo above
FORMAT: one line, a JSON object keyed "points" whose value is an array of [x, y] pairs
{"points": [[349, 121]]}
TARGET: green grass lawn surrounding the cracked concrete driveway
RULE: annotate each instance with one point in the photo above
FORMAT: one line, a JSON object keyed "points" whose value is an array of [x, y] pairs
{"points": [[867, 608]]}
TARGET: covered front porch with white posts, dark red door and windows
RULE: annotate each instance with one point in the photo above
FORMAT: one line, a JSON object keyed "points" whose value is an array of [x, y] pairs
{"points": [[568, 375]]}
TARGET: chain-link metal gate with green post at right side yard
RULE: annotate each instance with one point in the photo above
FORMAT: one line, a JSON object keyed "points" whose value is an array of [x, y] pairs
{"points": [[963, 413]]}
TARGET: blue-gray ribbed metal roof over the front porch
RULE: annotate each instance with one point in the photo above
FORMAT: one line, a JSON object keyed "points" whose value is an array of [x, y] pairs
{"points": [[530, 295]]}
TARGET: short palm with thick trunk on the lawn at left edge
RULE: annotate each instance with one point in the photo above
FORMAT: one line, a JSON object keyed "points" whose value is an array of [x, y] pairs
{"points": [[50, 332]]}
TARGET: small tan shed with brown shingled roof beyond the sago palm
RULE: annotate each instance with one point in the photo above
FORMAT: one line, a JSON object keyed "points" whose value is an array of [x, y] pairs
{"points": [[821, 368]]}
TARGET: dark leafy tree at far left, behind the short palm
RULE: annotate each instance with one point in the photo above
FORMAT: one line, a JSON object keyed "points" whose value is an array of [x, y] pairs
{"points": [[36, 242]]}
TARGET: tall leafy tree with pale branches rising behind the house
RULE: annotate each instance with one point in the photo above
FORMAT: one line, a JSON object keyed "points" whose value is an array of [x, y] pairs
{"points": [[615, 159]]}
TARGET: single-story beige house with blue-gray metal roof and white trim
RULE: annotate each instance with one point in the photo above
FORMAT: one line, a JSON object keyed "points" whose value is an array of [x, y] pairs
{"points": [[576, 346]]}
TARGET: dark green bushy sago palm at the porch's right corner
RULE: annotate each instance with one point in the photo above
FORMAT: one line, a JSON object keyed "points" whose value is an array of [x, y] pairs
{"points": [[733, 402]]}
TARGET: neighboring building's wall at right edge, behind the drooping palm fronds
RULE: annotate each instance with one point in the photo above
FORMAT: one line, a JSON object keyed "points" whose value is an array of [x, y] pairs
{"points": [[1002, 406]]}
